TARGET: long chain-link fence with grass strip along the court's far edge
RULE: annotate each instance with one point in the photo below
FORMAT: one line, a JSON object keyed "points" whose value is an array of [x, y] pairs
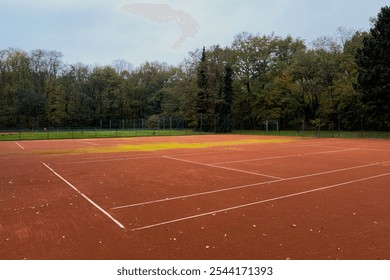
{"points": [[161, 125]]}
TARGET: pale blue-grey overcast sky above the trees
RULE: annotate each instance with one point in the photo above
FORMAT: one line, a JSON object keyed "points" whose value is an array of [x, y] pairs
{"points": [[100, 31]]}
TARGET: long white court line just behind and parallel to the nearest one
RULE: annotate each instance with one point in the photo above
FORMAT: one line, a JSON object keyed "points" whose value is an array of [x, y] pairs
{"points": [[248, 186]]}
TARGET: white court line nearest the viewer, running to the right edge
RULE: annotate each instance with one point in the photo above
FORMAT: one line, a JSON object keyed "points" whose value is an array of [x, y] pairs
{"points": [[258, 202]]}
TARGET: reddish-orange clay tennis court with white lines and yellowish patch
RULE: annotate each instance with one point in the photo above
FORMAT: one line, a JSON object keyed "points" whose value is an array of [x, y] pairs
{"points": [[195, 197]]}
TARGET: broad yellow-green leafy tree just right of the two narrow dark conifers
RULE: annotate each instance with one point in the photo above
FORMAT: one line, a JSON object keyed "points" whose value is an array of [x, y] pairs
{"points": [[259, 62]]}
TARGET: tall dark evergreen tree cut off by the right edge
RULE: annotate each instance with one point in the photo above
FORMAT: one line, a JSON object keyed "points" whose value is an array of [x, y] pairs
{"points": [[373, 62]]}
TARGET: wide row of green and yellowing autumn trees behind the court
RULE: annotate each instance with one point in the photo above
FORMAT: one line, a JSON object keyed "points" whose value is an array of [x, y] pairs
{"points": [[257, 78]]}
